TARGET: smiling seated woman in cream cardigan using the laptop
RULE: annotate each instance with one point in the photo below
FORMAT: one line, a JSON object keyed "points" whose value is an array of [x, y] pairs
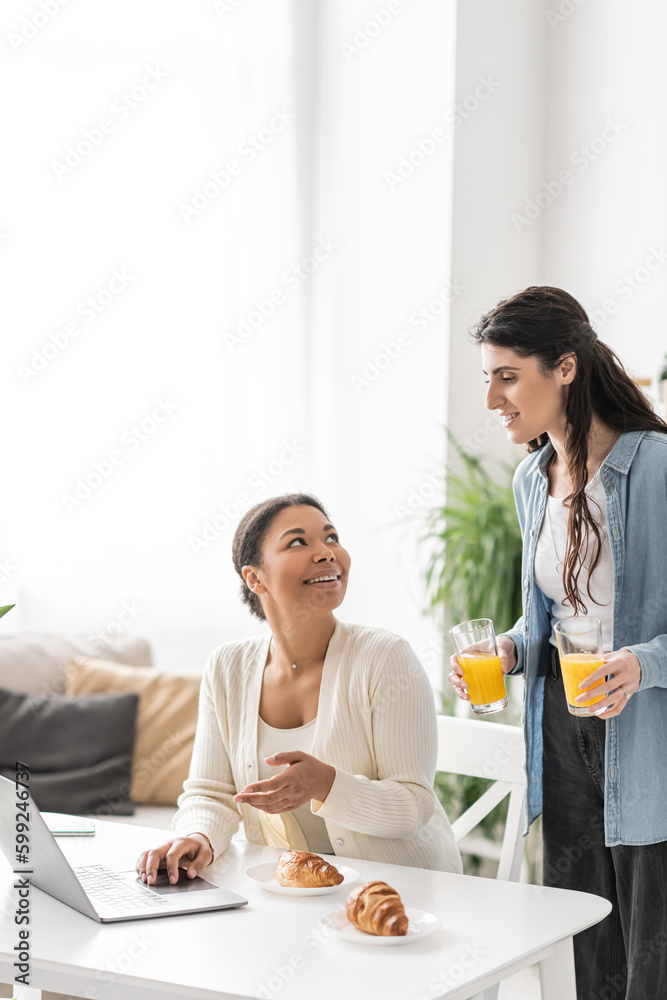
{"points": [[319, 735]]}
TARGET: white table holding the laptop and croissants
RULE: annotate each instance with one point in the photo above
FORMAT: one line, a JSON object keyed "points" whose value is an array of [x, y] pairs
{"points": [[276, 947]]}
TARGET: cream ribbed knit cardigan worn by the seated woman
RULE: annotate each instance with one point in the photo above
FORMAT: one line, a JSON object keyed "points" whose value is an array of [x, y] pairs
{"points": [[376, 725]]}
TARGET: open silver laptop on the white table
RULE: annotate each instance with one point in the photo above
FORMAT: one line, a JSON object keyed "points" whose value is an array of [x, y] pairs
{"points": [[97, 890]]}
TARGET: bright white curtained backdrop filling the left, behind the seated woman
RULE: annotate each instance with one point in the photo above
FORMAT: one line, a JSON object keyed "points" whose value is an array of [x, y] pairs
{"points": [[206, 259]]}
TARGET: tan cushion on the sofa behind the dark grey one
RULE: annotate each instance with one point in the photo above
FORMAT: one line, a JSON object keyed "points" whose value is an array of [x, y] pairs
{"points": [[166, 722]]}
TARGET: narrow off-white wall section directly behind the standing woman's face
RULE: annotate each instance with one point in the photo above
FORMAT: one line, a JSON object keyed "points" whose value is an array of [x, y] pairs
{"points": [[498, 156]]}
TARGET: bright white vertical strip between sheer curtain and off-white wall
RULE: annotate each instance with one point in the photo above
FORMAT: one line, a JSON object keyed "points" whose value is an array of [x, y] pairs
{"points": [[378, 399]]}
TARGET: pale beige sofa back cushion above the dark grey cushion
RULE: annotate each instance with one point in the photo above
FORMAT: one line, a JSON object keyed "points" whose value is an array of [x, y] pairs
{"points": [[35, 664]]}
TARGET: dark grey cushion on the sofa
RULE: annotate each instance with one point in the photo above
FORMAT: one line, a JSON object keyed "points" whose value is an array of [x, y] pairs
{"points": [[79, 750]]}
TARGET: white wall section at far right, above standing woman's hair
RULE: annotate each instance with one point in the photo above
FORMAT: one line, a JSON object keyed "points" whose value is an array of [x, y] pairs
{"points": [[606, 107]]}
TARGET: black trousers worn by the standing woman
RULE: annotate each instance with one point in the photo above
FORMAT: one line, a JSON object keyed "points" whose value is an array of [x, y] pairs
{"points": [[625, 956]]}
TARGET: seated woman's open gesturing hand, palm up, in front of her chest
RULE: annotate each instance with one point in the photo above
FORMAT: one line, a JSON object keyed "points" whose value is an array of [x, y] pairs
{"points": [[304, 778]]}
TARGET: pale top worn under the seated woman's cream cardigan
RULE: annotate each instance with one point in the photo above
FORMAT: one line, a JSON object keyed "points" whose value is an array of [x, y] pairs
{"points": [[271, 740]]}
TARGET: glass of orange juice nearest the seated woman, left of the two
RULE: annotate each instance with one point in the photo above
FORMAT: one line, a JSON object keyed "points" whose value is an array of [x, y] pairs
{"points": [[477, 655]]}
